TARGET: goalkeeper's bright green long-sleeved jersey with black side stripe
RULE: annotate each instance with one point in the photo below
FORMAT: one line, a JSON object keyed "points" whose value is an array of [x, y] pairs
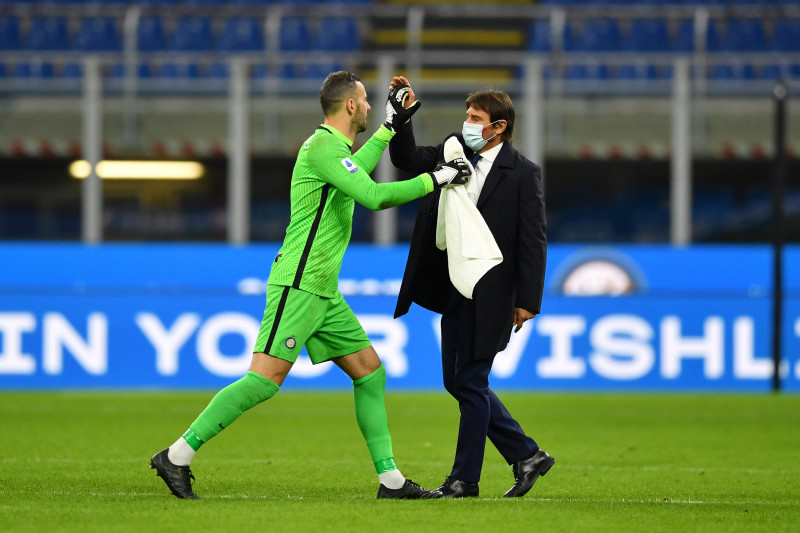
{"points": [[326, 181]]}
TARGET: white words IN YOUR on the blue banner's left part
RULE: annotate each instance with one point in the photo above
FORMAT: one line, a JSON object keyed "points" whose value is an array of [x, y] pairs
{"points": [[91, 351]]}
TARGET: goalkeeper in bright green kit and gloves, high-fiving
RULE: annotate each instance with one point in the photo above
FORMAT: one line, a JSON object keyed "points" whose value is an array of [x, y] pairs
{"points": [[304, 306]]}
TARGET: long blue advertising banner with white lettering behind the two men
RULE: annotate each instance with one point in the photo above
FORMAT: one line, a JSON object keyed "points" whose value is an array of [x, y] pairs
{"points": [[176, 316]]}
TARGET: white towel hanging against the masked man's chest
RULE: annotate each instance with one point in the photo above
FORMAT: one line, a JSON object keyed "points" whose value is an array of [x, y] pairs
{"points": [[461, 230]]}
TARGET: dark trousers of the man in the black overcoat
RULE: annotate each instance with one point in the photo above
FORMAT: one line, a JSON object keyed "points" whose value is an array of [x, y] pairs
{"points": [[482, 413]]}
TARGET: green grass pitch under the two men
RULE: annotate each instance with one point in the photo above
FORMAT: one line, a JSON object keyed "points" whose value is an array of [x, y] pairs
{"points": [[79, 462]]}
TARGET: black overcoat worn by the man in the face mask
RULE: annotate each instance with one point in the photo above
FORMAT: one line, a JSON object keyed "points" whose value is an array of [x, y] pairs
{"points": [[512, 204]]}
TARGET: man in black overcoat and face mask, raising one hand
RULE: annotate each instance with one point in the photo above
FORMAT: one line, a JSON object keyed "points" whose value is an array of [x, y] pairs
{"points": [[511, 201]]}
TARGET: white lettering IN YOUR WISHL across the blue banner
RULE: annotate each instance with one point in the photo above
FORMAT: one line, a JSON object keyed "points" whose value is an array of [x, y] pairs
{"points": [[622, 347]]}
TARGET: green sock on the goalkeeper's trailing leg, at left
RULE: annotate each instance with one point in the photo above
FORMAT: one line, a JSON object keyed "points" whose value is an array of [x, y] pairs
{"points": [[228, 405]]}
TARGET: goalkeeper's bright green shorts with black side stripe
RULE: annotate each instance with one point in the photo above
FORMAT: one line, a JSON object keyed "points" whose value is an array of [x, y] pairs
{"points": [[327, 327]]}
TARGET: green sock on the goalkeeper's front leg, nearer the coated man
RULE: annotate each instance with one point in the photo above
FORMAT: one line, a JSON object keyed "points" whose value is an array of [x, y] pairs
{"points": [[368, 393]]}
